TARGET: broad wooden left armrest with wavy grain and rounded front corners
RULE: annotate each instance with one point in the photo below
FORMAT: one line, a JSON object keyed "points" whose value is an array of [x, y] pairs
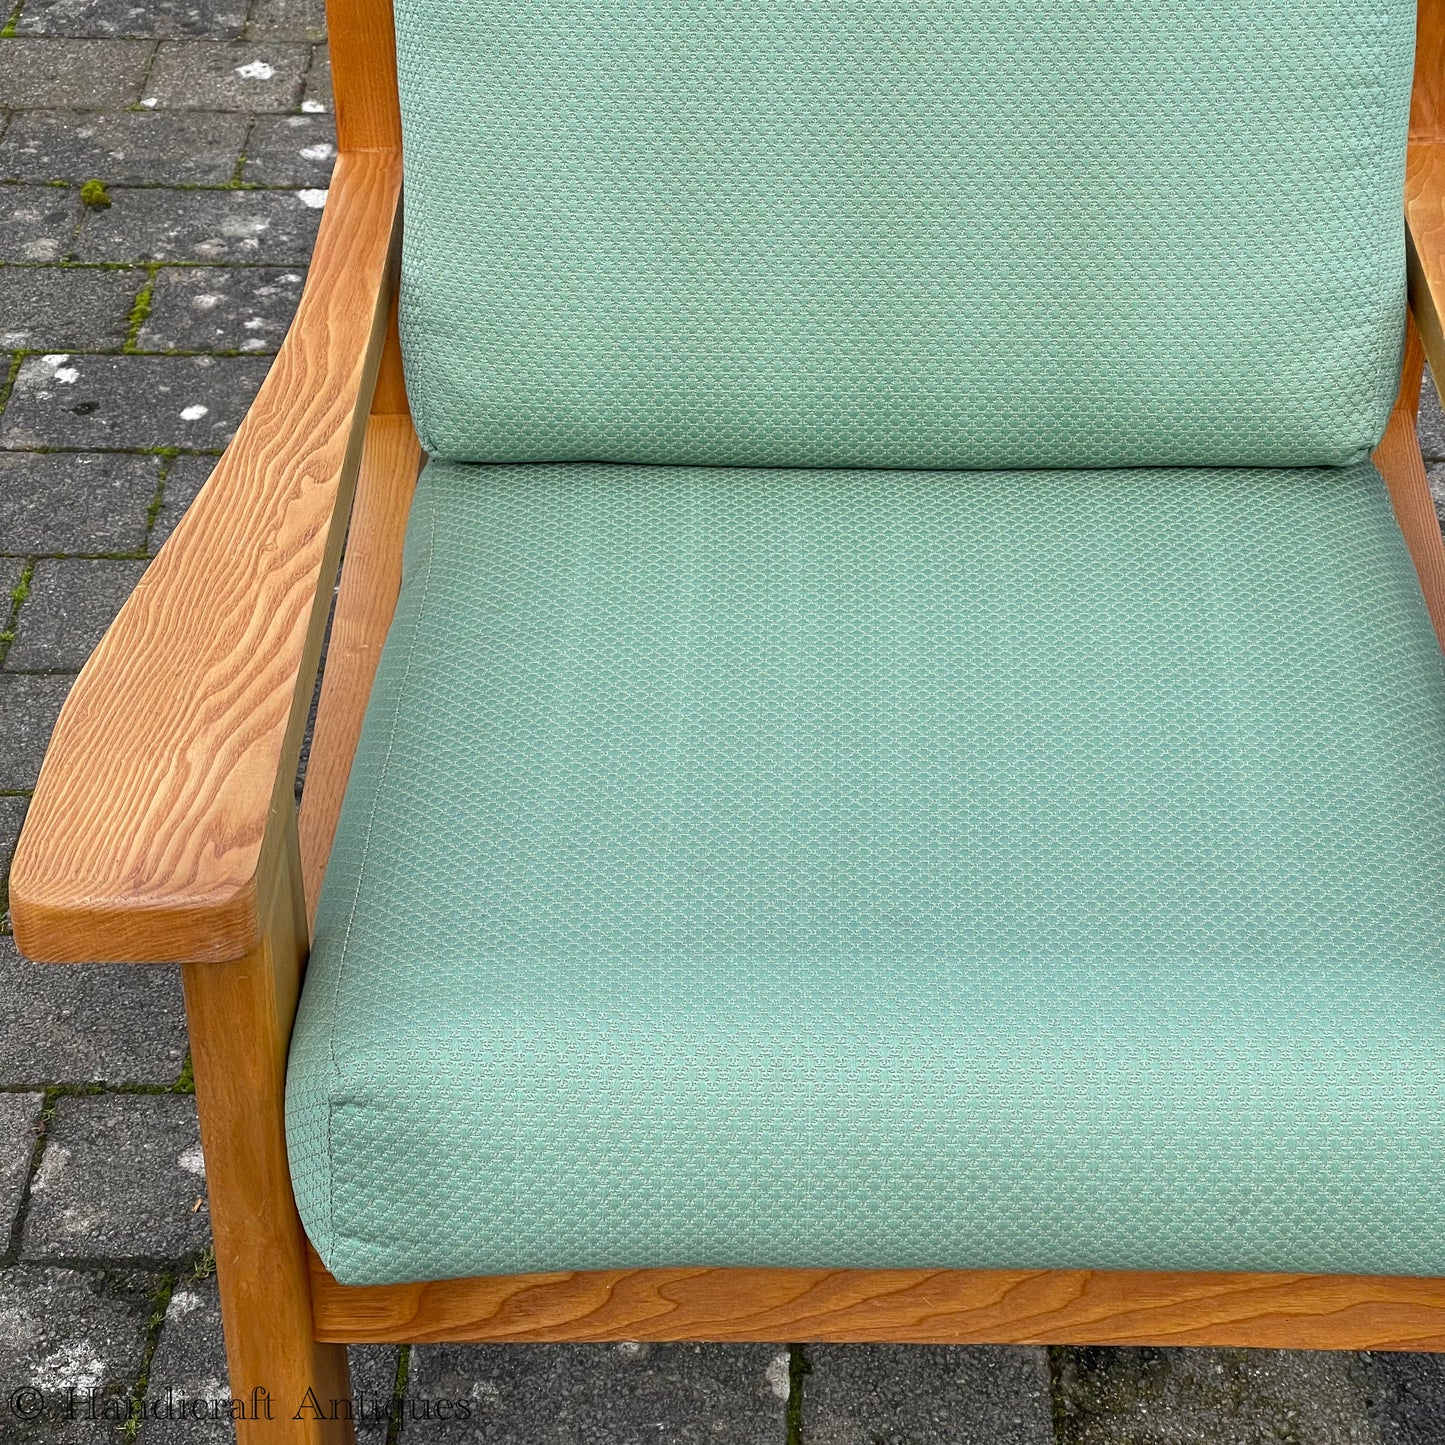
{"points": [[168, 782]]}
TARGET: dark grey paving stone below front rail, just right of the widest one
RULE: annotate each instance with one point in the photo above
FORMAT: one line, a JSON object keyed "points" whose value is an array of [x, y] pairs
{"points": [[910, 1395]]}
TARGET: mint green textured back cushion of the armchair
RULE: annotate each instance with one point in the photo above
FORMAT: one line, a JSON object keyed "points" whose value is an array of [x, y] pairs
{"points": [[949, 233]]}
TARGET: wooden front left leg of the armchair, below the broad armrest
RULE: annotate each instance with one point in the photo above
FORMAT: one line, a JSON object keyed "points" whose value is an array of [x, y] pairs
{"points": [[285, 1385]]}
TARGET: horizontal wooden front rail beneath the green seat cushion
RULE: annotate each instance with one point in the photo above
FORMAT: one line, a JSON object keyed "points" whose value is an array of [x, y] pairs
{"points": [[917, 1307]]}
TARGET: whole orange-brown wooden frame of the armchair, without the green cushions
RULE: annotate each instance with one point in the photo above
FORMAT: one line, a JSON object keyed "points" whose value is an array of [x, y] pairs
{"points": [[164, 830]]}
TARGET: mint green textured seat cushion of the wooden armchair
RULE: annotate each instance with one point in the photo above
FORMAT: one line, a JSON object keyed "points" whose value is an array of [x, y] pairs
{"points": [[884, 869]]}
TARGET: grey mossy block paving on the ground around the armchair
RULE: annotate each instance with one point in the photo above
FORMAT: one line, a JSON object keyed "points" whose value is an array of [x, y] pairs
{"points": [[163, 173]]}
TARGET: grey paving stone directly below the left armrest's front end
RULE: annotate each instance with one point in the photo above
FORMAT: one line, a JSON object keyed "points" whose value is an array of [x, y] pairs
{"points": [[89, 1024]]}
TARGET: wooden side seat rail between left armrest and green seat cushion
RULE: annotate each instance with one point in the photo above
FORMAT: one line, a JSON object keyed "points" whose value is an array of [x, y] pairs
{"points": [[371, 582]]}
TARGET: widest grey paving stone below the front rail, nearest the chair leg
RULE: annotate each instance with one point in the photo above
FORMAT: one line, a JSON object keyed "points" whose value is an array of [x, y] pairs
{"points": [[596, 1395]]}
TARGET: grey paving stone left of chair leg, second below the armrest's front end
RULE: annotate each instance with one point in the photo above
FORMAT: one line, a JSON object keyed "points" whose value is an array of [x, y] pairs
{"points": [[119, 1180]]}
